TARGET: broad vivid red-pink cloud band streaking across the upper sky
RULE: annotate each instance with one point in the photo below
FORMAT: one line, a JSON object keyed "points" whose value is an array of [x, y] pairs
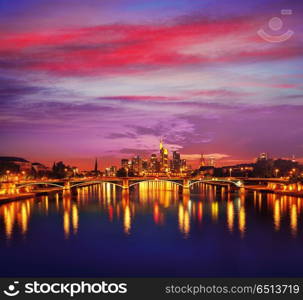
{"points": [[117, 49]]}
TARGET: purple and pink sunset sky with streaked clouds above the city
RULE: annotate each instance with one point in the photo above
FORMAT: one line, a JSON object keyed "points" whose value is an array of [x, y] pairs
{"points": [[108, 78]]}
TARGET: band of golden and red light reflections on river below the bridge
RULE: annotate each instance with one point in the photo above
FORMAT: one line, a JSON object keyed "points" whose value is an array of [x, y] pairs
{"points": [[155, 201]]}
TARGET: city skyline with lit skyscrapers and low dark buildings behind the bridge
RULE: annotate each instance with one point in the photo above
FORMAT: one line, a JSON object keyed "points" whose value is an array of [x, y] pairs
{"points": [[162, 161]]}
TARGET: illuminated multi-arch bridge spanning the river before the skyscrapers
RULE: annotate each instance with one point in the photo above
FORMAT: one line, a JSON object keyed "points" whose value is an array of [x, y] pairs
{"points": [[128, 182]]}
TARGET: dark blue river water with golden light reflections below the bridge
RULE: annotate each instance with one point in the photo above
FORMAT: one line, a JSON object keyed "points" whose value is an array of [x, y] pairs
{"points": [[152, 231]]}
